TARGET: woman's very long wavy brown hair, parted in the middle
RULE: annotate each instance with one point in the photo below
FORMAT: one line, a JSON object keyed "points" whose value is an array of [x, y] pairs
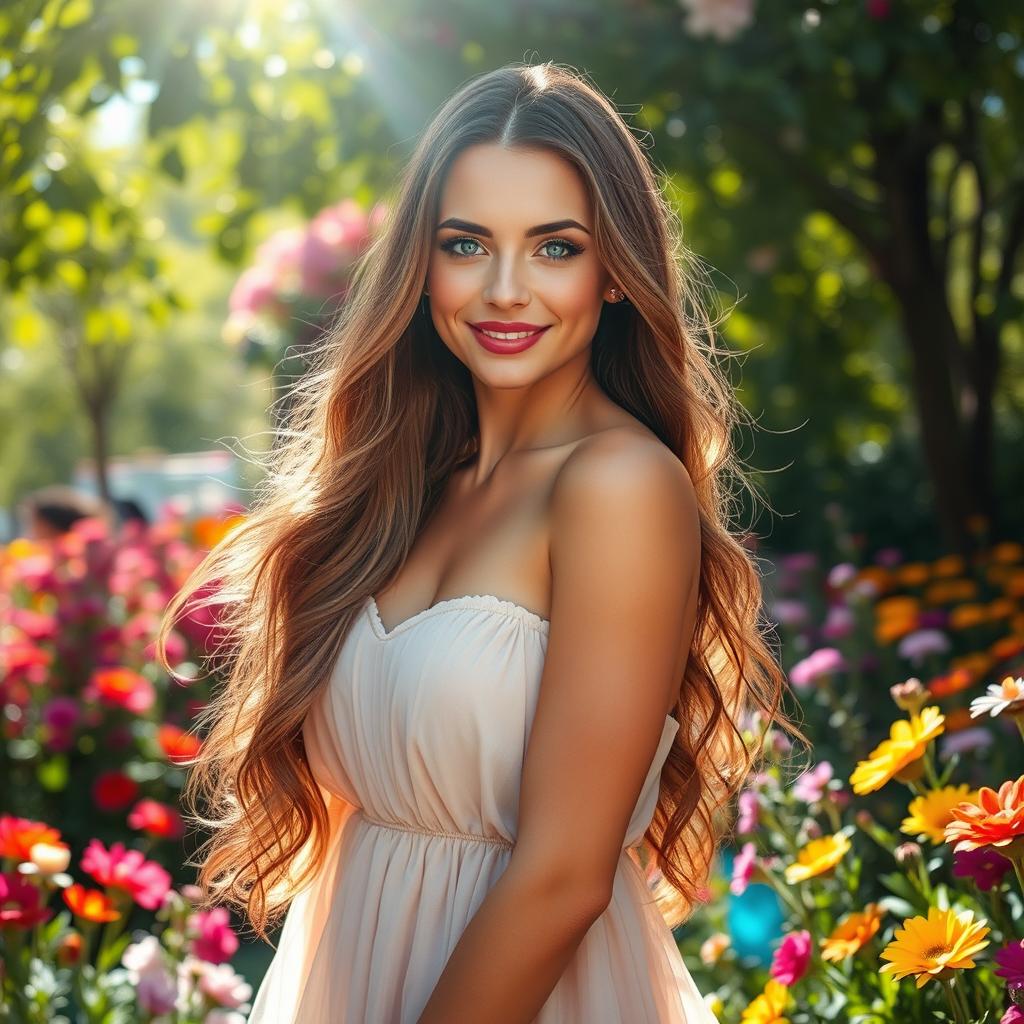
{"points": [[375, 430]]}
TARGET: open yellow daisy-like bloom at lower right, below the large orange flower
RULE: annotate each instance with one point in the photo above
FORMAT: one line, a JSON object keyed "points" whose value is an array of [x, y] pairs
{"points": [[935, 947]]}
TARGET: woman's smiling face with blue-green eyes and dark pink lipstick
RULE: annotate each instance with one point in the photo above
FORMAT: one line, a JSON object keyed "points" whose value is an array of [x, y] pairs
{"points": [[514, 254]]}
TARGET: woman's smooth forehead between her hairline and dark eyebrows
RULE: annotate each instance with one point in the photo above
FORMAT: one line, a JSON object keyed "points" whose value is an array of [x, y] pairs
{"points": [[498, 186]]}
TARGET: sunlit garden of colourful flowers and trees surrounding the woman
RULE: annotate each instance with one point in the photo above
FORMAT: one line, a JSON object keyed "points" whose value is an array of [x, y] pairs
{"points": [[185, 196]]}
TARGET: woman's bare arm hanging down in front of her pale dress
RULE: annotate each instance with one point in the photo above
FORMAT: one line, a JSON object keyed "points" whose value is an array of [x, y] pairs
{"points": [[625, 559]]}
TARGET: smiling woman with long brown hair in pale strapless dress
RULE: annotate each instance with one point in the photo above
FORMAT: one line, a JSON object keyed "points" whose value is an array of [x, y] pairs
{"points": [[487, 631]]}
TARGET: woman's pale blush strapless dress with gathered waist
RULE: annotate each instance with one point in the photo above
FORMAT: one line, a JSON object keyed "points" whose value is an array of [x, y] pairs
{"points": [[418, 744]]}
